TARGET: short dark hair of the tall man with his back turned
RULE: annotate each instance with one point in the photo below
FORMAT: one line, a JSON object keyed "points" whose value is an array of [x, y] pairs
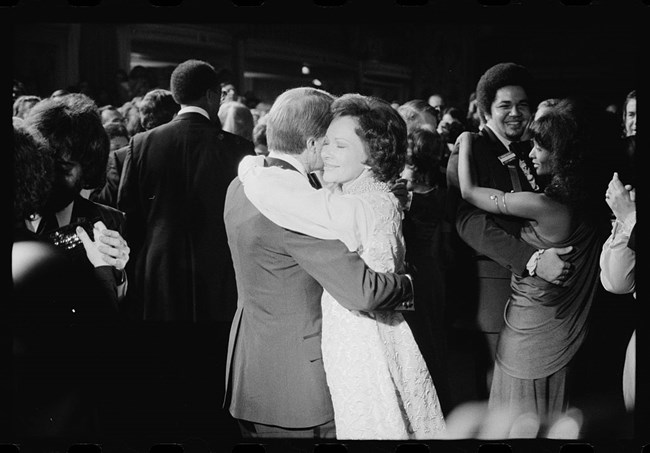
{"points": [[191, 79]]}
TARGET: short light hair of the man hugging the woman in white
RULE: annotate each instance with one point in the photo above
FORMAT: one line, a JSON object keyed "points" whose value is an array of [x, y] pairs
{"points": [[296, 116]]}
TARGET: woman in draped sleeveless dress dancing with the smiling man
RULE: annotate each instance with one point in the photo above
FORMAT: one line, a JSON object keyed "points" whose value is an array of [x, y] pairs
{"points": [[546, 324]]}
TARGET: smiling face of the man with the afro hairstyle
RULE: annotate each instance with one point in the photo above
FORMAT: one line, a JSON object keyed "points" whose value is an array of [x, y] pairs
{"points": [[510, 112]]}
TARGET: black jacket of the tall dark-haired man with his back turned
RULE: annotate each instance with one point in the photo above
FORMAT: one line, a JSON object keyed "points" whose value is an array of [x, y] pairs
{"points": [[173, 186]]}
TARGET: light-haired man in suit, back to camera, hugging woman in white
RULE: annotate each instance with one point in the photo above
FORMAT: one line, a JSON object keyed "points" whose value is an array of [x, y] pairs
{"points": [[275, 377]]}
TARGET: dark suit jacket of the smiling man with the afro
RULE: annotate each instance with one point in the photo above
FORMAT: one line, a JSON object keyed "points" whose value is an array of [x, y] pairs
{"points": [[496, 249]]}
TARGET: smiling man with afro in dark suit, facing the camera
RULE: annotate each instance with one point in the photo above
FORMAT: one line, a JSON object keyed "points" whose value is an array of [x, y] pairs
{"points": [[489, 242]]}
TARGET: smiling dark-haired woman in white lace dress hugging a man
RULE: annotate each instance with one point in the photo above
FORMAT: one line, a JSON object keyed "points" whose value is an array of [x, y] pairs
{"points": [[379, 382]]}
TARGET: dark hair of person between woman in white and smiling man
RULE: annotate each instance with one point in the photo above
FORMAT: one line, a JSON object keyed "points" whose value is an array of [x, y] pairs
{"points": [[426, 151]]}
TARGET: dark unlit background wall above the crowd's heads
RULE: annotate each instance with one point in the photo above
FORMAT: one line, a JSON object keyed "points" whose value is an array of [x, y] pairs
{"points": [[584, 58]]}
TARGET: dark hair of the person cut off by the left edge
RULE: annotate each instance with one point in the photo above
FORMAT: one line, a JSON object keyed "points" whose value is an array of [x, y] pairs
{"points": [[33, 169]]}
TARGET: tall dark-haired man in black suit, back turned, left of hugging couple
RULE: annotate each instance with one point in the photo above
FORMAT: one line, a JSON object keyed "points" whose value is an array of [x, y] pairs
{"points": [[182, 282]]}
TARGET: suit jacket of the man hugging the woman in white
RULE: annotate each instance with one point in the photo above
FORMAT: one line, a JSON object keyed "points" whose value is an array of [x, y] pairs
{"points": [[274, 365]]}
